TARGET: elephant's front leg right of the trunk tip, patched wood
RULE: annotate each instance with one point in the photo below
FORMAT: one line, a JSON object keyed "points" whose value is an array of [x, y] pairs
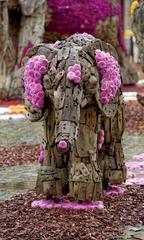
{"points": [[85, 182]]}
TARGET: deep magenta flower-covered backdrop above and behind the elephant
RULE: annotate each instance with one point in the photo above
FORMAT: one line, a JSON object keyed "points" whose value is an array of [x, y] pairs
{"points": [[71, 16]]}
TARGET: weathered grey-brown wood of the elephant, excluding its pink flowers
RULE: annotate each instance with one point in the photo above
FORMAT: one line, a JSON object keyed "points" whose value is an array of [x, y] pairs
{"points": [[83, 170]]}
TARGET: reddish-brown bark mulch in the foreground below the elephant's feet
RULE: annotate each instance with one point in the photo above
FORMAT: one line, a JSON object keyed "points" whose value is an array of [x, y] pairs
{"points": [[21, 222]]}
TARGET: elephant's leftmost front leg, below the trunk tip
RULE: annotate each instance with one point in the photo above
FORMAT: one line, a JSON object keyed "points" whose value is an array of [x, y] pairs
{"points": [[52, 176]]}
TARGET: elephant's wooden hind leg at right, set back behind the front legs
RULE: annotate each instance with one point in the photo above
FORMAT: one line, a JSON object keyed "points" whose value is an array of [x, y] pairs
{"points": [[111, 157]]}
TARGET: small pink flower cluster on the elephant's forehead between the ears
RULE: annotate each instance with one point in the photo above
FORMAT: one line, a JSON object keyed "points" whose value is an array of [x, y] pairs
{"points": [[74, 73]]}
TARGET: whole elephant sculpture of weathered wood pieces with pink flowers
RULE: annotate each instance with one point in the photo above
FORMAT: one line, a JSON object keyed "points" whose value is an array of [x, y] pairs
{"points": [[69, 86]]}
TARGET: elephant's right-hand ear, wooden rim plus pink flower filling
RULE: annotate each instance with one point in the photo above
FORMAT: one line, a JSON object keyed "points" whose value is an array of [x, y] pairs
{"points": [[109, 94]]}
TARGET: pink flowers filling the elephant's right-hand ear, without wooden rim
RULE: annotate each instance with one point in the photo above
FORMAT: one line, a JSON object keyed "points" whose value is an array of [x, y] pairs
{"points": [[110, 71]]}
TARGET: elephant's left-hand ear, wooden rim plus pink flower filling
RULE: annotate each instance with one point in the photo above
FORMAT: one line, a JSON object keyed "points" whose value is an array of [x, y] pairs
{"points": [[36, 65]]}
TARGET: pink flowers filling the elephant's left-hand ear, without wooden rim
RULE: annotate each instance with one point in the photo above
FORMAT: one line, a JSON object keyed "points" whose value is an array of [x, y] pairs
{"points": [[34, 70]]}
